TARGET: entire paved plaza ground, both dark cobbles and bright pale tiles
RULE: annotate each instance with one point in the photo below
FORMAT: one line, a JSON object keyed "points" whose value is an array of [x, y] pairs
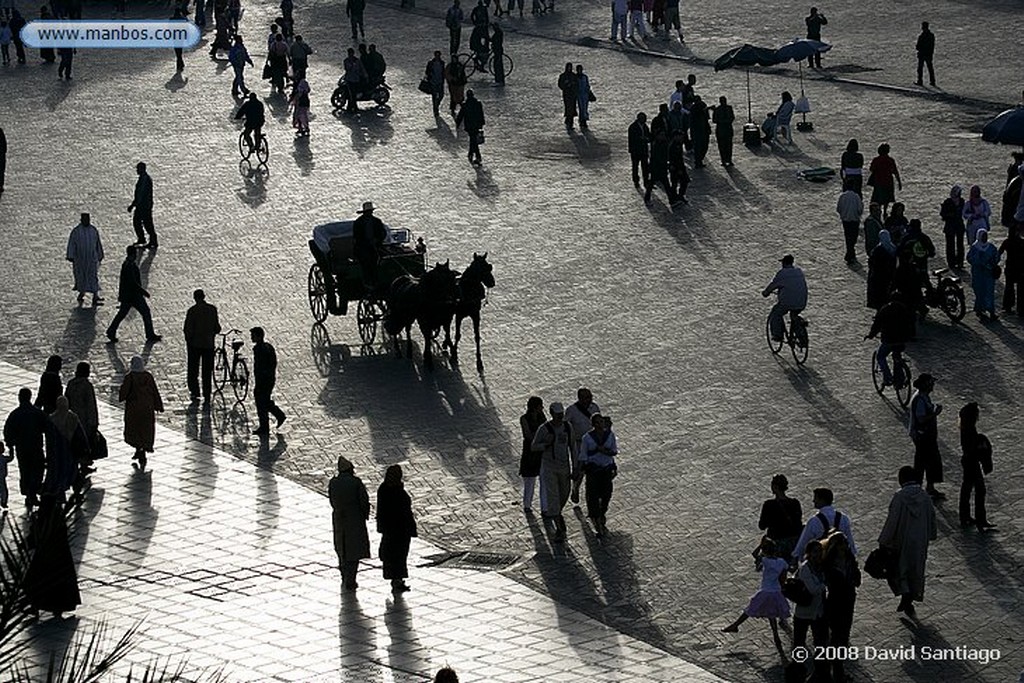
{"points": [[657, 310]]}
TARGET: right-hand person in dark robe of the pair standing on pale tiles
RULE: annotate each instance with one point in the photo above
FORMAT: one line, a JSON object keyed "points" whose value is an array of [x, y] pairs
{"points": [[397, 527]]}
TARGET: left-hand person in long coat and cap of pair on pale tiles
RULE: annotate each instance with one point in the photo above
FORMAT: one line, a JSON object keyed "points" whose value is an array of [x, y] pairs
{"points": [[351, 505]]}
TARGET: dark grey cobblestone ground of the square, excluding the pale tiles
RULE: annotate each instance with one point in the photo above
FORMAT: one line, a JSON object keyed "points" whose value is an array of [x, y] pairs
{"points": [[658, 311]]}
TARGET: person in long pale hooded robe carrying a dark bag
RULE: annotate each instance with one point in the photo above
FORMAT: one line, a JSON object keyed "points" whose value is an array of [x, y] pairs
{"points": [[909, 529]]}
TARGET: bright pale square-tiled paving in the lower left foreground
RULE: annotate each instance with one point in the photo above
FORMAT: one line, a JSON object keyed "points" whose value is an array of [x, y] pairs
{"points": [[187, 593]]}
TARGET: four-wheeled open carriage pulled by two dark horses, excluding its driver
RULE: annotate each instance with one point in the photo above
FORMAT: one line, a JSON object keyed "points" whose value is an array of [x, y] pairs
{"points": [[336, 279]]}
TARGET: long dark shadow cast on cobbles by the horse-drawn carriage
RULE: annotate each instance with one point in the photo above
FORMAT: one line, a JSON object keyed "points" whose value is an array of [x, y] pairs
{"points": [[411, 411]]}
